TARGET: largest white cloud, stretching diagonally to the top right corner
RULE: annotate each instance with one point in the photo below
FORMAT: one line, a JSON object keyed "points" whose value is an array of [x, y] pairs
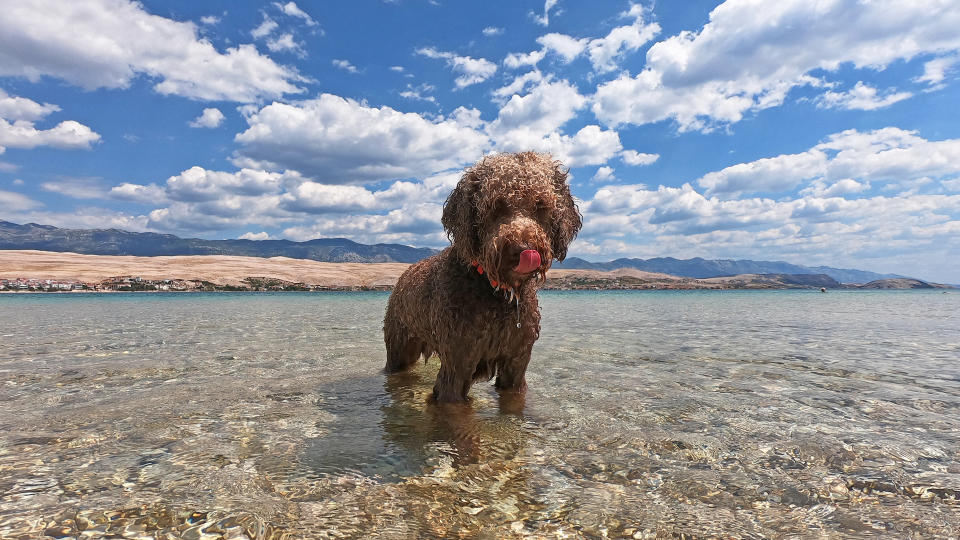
{"points": [[690, 79]]}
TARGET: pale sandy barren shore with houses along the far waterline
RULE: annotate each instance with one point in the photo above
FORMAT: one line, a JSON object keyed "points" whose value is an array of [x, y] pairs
{"points": [[72, 272]]}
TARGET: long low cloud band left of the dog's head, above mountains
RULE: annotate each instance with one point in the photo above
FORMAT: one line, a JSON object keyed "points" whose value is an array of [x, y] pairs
{"points": [[198, 199]]}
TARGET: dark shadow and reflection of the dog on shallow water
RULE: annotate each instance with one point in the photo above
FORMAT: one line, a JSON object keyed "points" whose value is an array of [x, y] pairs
{"points": [[391, 429]]}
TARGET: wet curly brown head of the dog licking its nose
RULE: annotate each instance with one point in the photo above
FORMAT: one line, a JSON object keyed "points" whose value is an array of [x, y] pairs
{"points": [[512, 214]]}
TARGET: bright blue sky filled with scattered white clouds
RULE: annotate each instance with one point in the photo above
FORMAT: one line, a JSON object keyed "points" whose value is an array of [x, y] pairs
{"points": [[811, 132]]}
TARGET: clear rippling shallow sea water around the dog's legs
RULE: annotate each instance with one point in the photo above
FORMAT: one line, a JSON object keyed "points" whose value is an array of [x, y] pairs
{"points": [[650, 414]]}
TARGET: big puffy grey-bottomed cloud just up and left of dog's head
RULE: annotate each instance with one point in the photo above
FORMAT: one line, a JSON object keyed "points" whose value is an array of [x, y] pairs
{"points": [[337, 140]]}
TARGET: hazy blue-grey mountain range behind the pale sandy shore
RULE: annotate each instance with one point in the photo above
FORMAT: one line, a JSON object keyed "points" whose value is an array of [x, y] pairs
{"points": [[117, 242]]}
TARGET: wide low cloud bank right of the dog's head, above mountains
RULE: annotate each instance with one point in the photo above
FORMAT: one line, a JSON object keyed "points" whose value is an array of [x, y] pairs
{"points": [[836, 218]]}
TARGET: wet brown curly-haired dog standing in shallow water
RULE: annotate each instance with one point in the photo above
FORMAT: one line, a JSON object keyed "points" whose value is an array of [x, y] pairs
{"points": [[475, 303]]}
